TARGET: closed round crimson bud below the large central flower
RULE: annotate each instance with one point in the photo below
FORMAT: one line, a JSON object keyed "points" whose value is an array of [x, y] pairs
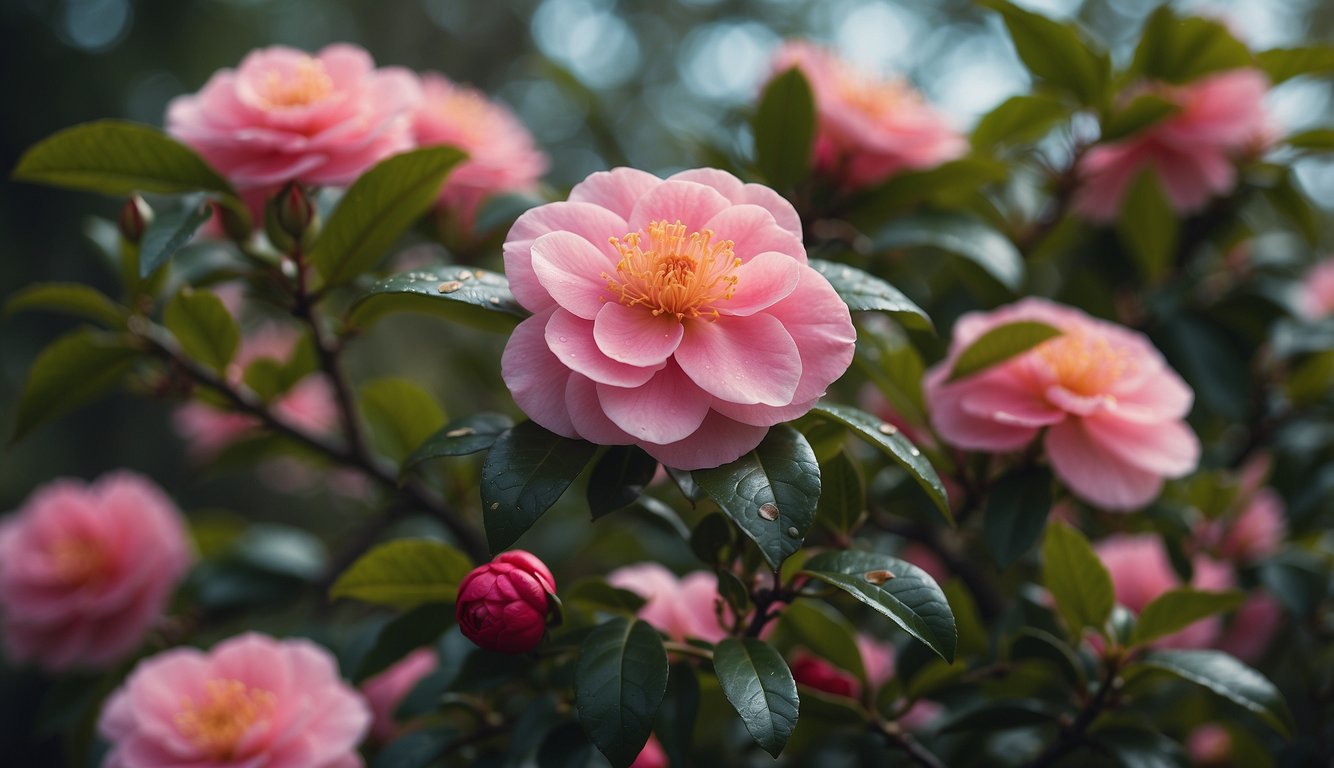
{"points": [[504, 605]]}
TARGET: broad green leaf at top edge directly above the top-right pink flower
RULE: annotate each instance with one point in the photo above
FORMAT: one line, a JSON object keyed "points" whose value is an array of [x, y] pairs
{"points": [[1181, 50]]}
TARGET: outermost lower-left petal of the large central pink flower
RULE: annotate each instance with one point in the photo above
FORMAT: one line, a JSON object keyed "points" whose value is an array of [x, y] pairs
{"points": [[536, 378]]}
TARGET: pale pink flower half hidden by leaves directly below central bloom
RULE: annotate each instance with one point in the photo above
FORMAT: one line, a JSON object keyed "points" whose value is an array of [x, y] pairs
{"points": [[681, 609]]}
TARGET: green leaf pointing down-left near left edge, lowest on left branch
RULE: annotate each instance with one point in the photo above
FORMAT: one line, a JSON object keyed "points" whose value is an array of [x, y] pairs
{"points": [[74, 371]]}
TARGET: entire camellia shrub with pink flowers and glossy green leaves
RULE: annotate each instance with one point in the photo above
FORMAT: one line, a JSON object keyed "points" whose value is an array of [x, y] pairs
{"points": [[877, 443]]}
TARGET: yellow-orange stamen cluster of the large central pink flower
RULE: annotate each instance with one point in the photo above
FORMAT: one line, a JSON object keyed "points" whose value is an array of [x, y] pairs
{"points": [[678, 274]]}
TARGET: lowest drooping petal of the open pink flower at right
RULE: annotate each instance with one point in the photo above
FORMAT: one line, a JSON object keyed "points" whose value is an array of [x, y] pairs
{"points": [[1095, 474]]}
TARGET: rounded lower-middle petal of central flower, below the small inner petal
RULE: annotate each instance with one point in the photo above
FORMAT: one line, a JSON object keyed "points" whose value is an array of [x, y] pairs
{"points": [[665, 410]]}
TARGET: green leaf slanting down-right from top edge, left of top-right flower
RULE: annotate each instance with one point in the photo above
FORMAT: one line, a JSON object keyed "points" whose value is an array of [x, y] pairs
{"points": [[1057, 54]]}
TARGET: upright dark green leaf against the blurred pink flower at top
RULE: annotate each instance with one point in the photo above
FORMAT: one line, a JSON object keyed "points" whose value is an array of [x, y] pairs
{"points": [[785, 130]]}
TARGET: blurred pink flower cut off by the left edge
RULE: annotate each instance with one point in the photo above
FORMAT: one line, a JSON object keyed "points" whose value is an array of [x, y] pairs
{"points": [[87, 570]]}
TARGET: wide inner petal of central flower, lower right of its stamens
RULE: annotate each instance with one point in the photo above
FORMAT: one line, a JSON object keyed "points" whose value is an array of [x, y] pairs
{"points": [[742, 359]]}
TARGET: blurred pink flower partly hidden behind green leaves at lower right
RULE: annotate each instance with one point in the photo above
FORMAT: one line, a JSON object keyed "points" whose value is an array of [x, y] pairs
{"points": [[1141, 571]]}
